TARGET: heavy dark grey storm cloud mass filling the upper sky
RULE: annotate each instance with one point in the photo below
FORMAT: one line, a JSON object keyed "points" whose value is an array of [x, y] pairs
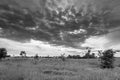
{"points": [[25, 20]]}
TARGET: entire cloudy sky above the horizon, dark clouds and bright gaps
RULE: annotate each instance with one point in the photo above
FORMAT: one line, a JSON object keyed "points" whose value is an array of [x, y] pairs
{"points": [[45, 27]]}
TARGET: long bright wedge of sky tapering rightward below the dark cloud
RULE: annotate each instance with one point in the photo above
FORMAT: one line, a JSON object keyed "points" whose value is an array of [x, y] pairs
{"points": [[35, 47]]}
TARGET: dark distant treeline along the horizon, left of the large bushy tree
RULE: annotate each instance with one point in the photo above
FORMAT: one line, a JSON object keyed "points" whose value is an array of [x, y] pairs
{"points": [[88, 55]]}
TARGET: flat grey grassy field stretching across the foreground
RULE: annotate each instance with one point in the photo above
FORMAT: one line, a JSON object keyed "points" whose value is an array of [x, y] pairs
{"points": [[56, 69]]}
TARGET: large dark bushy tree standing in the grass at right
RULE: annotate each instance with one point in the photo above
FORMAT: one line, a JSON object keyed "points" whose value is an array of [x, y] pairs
{"points": [[107, 58]]}
